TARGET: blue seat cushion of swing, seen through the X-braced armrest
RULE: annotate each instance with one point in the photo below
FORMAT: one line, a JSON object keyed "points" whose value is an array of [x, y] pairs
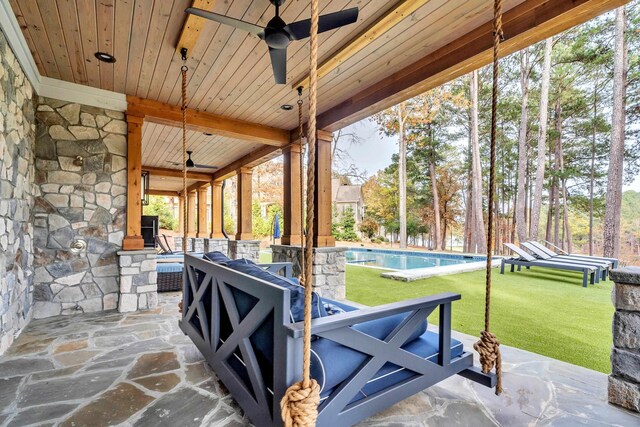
{"points": [[332, 363]]}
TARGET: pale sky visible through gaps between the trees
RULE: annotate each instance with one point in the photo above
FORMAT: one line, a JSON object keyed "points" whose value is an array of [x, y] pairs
{"points": [[375, 151]]}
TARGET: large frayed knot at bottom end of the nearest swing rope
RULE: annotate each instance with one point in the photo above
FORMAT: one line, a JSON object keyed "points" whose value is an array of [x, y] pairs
{"points": [[299, 405]]}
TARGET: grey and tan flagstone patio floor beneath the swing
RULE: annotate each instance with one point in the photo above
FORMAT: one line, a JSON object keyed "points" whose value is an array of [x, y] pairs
{"points": [[138, 369]]}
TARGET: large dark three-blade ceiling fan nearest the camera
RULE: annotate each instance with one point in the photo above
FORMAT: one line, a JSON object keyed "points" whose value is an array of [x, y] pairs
{"points": [[278, 34]]}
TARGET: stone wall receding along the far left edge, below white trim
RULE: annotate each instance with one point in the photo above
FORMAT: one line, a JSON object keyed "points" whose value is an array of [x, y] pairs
{"points": [[17, 136]]}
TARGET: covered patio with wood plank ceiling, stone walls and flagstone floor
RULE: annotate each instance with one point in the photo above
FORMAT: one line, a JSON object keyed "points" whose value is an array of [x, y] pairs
{"points": [[84, 334]]}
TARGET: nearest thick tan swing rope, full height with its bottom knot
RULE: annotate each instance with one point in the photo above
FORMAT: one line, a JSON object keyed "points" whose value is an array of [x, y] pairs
{"points": [[300, 403]]}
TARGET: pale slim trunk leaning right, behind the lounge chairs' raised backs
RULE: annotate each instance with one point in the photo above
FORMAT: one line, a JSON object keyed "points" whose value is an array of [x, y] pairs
{"points": [[536, 204]]}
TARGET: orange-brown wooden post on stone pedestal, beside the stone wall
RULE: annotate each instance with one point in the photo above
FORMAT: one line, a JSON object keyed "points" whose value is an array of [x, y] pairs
{"points": [[133, 240]]}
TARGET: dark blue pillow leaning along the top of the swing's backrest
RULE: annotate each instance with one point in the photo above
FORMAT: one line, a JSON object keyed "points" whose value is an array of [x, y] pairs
{"points": [[297, 292]]}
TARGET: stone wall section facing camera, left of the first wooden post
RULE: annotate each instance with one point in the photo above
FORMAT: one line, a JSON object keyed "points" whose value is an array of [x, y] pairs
{"points": [[81, 176]]}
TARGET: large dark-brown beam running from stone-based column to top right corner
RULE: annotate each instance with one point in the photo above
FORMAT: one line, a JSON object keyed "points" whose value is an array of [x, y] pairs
{"points": [[526, 24]]}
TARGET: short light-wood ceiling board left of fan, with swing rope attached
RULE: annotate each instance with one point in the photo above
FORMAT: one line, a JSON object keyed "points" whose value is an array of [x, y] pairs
{"points": [[157, 28]]}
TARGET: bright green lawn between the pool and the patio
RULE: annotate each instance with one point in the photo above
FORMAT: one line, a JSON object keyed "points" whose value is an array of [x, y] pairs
{"points": [[543, 311]]}
